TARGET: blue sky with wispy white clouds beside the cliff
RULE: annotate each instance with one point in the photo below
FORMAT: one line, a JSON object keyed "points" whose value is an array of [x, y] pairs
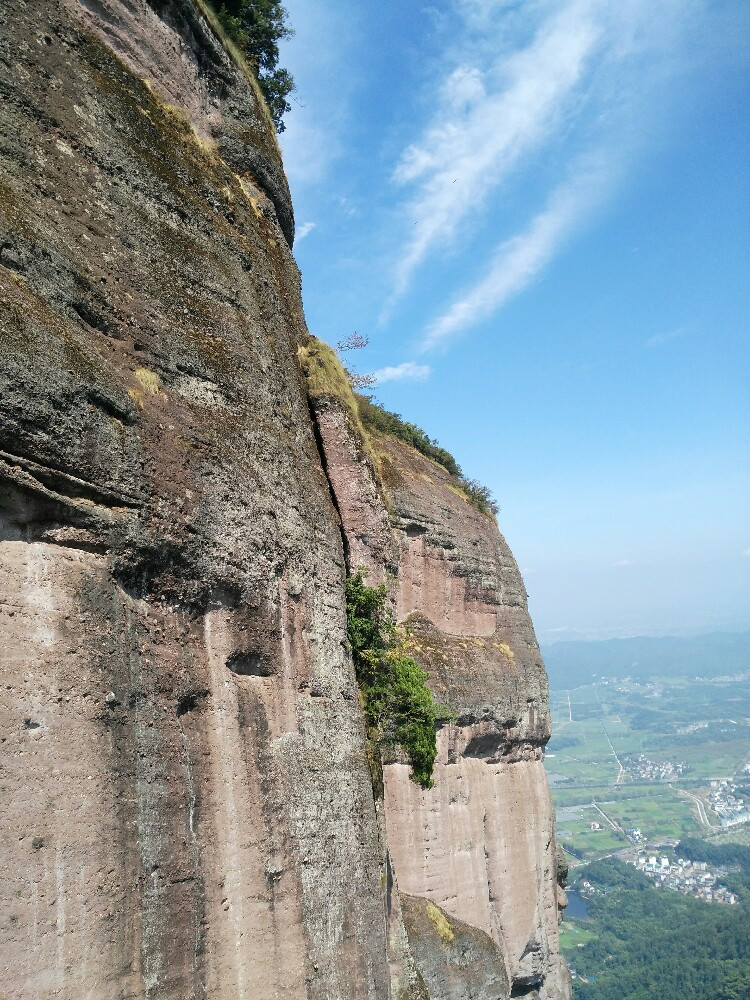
{"points": [[539, 213]]}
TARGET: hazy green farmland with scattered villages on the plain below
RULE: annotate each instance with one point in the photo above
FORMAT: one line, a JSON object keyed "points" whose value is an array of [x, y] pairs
{"points": [[701, 727]]}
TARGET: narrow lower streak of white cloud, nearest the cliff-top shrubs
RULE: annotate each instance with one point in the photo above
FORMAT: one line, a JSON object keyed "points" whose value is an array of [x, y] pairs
{"points": [[517, 261]]}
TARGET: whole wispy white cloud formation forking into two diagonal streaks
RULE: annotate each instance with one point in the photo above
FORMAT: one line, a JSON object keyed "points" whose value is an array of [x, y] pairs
{"points": [[571, 86]]}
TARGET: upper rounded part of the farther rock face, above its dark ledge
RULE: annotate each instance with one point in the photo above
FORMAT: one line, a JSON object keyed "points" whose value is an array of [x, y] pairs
{"points": [[462, 598]]}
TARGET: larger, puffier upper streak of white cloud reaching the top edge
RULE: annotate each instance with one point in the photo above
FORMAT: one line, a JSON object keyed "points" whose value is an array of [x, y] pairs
{"points": [[488, 118]]}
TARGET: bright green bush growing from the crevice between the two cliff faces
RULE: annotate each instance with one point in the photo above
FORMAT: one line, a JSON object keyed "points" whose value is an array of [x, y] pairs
{"points": [[399, 708]]}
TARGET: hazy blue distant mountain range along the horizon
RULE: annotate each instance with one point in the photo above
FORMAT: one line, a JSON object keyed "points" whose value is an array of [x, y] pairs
{"points": [[571, 664]]}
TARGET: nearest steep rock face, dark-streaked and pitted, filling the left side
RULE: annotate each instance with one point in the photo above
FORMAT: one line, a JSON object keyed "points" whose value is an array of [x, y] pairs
{"points": [[186, 798]]}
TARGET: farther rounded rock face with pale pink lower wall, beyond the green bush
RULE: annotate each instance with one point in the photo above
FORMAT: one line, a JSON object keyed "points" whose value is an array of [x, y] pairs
{"points": [[480, 843]]}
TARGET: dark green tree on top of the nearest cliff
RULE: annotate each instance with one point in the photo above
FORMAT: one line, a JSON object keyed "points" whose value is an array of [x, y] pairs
{"points": [[258, 26]]}
